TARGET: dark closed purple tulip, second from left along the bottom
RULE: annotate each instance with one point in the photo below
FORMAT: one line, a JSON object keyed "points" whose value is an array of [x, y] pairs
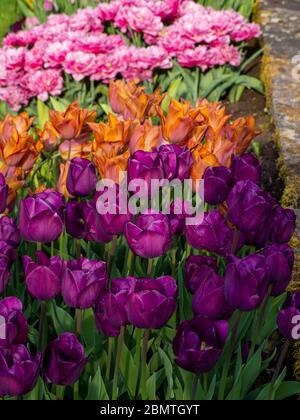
{"points": [[64, 360]]}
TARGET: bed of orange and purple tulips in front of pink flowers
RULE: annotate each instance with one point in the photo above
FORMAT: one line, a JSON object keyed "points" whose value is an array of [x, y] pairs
{"points": [[98, 306]]}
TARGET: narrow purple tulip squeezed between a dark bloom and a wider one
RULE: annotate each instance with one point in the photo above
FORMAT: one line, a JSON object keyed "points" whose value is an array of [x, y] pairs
{"points": [[94, 224]]}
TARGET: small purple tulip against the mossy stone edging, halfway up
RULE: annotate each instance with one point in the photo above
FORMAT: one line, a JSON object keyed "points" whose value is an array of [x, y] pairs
{"points": [[283, 226]]}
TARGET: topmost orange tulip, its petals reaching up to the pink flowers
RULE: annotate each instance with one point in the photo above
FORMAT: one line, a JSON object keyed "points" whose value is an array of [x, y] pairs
{"points": [[131, 101]]}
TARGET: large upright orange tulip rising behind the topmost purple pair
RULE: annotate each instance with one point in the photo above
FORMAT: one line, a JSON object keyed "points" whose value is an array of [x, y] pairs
{"points": [[179, 124]]}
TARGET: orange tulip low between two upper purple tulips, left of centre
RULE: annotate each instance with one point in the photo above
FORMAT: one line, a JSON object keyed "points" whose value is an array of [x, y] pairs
{"points": [[110, 167]]}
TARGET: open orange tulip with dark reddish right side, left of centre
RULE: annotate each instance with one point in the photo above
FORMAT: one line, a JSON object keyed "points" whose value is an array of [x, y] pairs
{"points": [[73, 123]]}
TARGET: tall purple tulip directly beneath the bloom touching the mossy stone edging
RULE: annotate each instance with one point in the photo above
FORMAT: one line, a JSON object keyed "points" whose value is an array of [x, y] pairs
{"points": [[279, 263]]}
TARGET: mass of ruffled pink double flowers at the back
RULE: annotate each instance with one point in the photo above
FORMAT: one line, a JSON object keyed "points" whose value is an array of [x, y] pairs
{"points": [[32, 61]]}
